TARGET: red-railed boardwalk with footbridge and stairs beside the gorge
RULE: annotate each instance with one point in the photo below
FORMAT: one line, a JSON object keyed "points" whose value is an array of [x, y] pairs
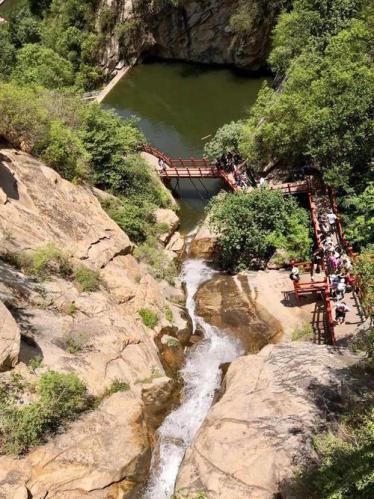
{"points": [[320, 202]]}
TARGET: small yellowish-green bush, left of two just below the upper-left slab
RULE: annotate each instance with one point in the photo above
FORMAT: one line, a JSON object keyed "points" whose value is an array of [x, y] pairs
{"points": [[50, 260]]}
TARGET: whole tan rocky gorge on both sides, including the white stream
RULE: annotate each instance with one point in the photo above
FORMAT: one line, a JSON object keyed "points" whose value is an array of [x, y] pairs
{"points": [[261, 423]]}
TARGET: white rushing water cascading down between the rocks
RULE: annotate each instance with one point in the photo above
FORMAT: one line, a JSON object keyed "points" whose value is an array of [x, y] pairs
{"points": [[202, 376]]}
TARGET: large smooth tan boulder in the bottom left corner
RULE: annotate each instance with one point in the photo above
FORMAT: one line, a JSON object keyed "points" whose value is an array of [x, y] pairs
{"points": [[105, 454]]}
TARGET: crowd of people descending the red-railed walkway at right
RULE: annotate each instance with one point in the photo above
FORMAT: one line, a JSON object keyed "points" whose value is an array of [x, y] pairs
{"points": [[338, 265]]}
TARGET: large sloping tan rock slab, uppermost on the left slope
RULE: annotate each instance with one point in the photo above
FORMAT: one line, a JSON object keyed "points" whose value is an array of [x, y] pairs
{"points": [[44, 207]]}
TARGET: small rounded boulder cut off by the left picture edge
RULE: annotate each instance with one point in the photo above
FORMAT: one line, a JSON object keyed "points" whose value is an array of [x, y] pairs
{"points": [[9, 339]]}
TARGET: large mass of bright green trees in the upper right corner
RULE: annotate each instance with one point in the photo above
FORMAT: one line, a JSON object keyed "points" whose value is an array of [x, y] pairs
{"points": [[323, 114]]}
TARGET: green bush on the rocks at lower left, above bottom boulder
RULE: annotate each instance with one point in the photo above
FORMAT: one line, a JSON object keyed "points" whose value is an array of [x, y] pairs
{"points": [[60, 397]]}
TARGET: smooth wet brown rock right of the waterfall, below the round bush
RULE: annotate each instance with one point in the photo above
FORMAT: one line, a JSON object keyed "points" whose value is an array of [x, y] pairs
{"points": [[230, 304]]}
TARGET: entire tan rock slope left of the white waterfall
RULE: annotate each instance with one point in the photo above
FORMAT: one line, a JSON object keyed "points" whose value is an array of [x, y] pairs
{"points": [[98, 335]]}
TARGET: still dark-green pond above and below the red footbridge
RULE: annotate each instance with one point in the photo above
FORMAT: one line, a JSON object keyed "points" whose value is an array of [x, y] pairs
{"points": [[179, 106]]}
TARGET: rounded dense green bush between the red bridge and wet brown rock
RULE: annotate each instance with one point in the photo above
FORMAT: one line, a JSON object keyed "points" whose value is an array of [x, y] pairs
{"points": [[250, 226]]}
